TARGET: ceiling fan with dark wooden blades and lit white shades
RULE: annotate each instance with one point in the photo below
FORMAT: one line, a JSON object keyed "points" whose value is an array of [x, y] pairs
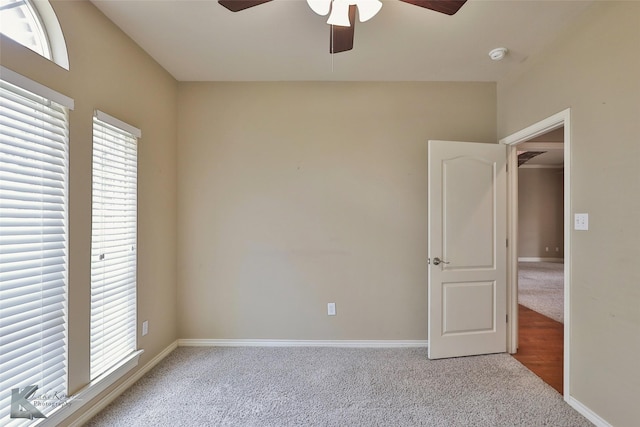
{"points": [[342, 27]]}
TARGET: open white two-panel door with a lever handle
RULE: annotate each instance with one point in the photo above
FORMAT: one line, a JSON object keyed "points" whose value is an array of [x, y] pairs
{"points": [[467, 249]]}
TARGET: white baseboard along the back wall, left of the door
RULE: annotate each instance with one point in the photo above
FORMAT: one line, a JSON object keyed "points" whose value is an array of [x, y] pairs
{"points": [[301, 343]]}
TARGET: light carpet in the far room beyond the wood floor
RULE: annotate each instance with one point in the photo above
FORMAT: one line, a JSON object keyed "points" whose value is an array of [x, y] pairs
{"points": [[541, 288]]}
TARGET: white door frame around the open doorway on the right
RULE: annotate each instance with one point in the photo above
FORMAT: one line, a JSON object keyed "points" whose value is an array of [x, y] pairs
{"points": [[558, 120]]}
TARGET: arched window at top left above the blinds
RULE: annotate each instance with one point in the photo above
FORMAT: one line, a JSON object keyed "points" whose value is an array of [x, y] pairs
{"points": [[34, 25]]}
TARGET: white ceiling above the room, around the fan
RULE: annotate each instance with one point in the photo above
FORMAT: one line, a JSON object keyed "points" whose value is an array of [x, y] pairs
{"points": [[284, 40]]}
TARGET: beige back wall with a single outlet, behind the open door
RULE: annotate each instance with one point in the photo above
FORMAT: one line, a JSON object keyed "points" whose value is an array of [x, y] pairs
{"points": [[293, 195]]}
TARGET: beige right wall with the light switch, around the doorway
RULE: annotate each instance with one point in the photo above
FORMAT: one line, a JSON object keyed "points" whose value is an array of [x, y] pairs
{"points": [[594, 69]]}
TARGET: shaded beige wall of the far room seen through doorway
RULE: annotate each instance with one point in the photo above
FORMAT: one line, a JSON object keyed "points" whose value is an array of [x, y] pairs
{"points": [[540, 213]]}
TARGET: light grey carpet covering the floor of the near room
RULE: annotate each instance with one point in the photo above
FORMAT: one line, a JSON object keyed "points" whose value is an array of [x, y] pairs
{"points": [[253, 386]]}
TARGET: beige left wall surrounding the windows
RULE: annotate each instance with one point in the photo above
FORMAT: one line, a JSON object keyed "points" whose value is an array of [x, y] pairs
{"points": [[109, 72]]}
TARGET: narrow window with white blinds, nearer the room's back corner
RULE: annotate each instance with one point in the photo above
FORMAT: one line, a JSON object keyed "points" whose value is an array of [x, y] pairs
{"points": [[113, 243]]}
